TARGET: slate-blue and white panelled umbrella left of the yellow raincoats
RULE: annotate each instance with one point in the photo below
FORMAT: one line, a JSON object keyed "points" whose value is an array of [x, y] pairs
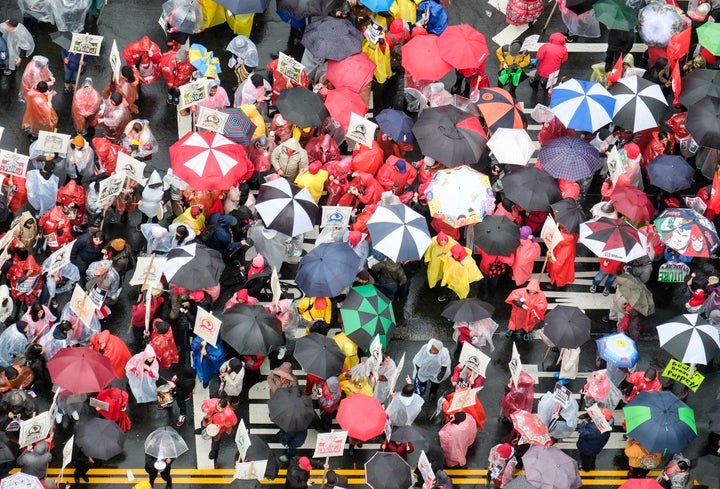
{"points": [[399, 233]]}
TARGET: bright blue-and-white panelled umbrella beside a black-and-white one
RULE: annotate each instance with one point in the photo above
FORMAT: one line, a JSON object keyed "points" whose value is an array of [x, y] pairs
{"points": [[582, 105]]}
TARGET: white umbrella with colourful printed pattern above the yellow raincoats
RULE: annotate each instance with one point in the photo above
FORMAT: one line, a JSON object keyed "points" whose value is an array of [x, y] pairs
{"points": [[460, 196]]}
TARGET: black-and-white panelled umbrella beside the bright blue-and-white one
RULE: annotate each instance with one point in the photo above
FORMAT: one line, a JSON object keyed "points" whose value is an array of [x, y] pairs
{"points": [[639, 104]]}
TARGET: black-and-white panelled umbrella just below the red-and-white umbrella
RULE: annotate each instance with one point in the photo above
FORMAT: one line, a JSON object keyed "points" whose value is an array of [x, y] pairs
{"points": [[287, 208]]}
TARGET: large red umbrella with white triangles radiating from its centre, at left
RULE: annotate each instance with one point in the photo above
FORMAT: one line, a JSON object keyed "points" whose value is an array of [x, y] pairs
{"points": [[209, 161]]}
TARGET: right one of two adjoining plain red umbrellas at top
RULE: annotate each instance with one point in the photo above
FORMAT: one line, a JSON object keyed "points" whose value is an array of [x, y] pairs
{"points": [[463, 47]]}
